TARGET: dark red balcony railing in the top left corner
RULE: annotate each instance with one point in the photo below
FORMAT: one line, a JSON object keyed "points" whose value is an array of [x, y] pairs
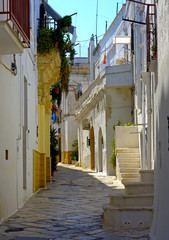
{"points": [[17, 13]]}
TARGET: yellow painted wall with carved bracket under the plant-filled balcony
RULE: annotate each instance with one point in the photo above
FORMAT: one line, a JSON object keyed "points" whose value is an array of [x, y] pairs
{"points": [[48, 74]]}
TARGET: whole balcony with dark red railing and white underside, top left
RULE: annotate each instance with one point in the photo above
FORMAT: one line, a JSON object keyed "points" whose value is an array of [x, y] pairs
{"points": [[14, 26]]}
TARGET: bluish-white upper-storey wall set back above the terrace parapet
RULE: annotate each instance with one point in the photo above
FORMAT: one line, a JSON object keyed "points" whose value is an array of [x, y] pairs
{"points": [[108, 48]]}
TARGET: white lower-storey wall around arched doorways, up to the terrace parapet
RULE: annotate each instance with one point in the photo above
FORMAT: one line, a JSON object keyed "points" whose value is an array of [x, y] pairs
{"points": [[105, 102]]}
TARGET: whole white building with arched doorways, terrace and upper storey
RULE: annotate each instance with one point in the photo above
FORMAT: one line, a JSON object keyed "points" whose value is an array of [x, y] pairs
{"points": [[108, 98]]}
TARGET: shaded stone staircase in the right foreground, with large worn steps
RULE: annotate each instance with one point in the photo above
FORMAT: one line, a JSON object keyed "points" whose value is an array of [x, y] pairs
{"points": [[134, 208]]}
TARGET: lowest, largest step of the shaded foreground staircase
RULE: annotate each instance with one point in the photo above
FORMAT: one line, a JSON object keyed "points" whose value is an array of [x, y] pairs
{"points": [[127, 218]]}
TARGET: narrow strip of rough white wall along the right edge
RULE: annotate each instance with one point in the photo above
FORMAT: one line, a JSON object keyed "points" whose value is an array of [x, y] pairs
{"points": [[160, 225]]}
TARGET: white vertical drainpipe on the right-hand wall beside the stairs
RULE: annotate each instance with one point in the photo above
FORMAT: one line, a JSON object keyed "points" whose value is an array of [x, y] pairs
{"points": [[146, 76]]}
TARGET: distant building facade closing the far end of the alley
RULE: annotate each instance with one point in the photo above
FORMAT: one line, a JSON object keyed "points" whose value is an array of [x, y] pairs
{"points": [[78, 83]]}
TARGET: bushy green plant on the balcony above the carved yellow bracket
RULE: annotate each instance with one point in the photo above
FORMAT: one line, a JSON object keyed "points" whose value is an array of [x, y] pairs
{"points": [[45, 41]]}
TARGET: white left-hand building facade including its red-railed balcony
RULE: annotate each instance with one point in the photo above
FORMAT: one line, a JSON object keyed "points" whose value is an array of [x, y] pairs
{"points": [[18, 104]]}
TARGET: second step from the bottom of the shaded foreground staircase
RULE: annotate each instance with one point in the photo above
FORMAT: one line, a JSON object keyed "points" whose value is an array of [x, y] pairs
{"points": [[122, 200]]}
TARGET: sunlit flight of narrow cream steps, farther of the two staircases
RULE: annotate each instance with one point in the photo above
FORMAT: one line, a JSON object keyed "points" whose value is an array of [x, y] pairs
{"points": [[128, 164]]}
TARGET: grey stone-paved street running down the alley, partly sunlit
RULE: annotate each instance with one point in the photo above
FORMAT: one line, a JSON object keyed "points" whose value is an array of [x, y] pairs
{"points": [[70, 208]]}
